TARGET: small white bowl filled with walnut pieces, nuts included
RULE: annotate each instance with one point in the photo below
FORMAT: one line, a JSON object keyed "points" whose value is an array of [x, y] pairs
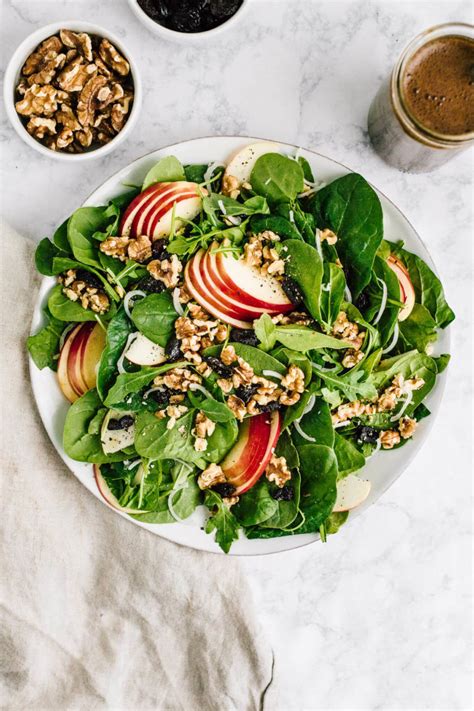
{"points": [[72, 91]]}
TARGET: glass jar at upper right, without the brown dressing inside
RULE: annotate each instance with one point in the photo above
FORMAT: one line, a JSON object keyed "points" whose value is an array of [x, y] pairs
{"points": [[396, 134]]}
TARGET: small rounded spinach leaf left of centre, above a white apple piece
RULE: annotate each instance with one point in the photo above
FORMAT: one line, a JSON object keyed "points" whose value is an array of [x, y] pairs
{"points": [[154, 316]]}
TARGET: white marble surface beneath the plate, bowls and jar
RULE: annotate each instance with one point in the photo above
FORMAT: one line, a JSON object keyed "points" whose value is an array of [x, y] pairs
{"points": [[379, 618]]}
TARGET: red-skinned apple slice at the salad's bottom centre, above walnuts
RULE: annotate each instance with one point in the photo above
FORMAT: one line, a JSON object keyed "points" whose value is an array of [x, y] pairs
{"points": [[248, 458]]}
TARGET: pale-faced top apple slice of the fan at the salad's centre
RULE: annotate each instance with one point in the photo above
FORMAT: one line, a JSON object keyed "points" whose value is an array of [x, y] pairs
{"points": [[250, 286]]}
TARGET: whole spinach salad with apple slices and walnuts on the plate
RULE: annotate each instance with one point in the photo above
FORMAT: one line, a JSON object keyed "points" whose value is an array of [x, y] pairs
{"points": [[239, 337]]}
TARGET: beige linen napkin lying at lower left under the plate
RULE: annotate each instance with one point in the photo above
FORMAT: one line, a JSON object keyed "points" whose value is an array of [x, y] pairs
{"points": [[98, 613]]}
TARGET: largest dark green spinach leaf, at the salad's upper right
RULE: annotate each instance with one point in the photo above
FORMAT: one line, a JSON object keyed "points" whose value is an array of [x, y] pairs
{"points": [[352, 209]]}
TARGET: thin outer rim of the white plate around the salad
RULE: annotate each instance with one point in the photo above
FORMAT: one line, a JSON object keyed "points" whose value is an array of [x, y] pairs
{"points": [[155, 528]]}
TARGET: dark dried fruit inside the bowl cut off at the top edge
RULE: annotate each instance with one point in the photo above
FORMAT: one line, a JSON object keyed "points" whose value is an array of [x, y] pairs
{"points": [[190, 15]]}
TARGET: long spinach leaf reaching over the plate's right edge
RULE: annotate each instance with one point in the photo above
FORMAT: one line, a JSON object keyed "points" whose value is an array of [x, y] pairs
{"points": [[428, 289]]}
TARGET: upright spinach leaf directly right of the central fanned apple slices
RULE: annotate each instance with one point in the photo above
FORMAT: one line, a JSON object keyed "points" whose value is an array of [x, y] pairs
{"points": [[305, 267]]}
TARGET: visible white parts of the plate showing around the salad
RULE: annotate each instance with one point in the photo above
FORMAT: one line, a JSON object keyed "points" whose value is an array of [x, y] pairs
{"points": [[382, 470]]}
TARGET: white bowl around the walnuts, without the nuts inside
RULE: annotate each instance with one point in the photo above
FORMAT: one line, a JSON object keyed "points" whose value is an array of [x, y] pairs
{"points": [[12, 77]]}
